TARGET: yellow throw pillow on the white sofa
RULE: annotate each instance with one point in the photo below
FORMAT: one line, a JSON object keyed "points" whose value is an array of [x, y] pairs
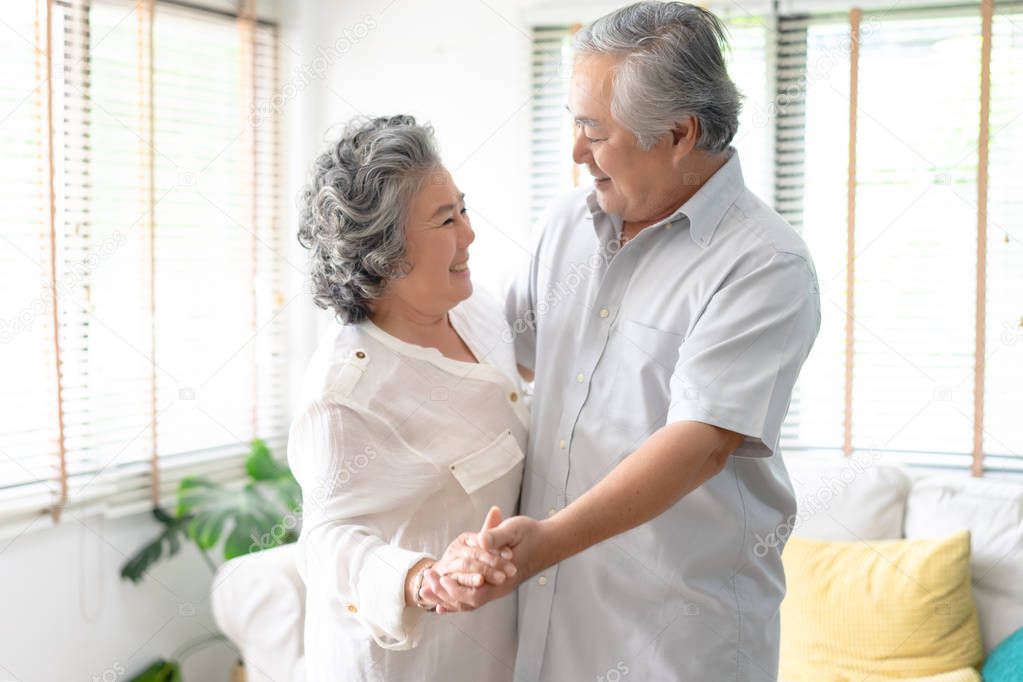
{"points": [[882, 610]]}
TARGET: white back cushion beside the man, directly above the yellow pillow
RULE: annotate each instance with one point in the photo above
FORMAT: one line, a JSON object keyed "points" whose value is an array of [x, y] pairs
{"points": [[848, 498]]}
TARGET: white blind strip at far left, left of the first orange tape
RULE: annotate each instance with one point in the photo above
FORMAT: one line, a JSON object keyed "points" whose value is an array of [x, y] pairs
{"points": [[29, 436]]}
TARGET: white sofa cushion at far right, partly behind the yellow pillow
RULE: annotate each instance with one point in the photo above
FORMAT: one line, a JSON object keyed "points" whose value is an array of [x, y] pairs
{"points": [[993, 511]]}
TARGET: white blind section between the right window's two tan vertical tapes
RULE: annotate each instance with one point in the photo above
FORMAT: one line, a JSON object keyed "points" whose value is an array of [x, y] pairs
{"points": [[916, 235]]}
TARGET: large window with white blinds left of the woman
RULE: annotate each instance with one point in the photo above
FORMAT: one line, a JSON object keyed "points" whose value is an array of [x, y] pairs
{"points": [[142, 329]]}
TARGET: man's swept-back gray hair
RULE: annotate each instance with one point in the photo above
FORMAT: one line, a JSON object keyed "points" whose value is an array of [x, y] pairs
{"points": [[672, 67]]}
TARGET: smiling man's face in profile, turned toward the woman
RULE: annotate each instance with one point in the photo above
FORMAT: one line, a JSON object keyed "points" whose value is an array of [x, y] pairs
{"points": [[638, 185]]}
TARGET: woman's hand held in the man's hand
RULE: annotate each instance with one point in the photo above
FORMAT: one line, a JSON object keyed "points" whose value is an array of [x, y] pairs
{"points": [[455, 580]]}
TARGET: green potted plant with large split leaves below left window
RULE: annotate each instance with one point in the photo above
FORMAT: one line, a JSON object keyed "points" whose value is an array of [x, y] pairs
{"points": [[247, 519]]}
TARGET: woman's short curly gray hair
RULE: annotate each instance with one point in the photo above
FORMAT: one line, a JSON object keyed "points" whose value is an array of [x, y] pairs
{"points": [[355, 208]]}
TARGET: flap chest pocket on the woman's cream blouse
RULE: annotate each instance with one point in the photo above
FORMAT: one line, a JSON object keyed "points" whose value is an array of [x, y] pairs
{"points": [[493, 476]]}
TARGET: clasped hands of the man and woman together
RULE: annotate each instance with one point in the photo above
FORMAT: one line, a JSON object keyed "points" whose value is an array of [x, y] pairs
{"points": [[478, 568]]}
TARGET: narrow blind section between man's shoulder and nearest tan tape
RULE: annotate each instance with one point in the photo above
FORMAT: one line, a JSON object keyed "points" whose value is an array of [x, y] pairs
{"points": [[811, 181]]}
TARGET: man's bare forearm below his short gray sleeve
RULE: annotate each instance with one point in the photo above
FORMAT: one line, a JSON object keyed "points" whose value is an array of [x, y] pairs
{"points": [[673, 463]]}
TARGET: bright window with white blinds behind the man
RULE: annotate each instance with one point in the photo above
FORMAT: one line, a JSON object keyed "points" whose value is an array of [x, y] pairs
{"points": [[873, 148]]}
